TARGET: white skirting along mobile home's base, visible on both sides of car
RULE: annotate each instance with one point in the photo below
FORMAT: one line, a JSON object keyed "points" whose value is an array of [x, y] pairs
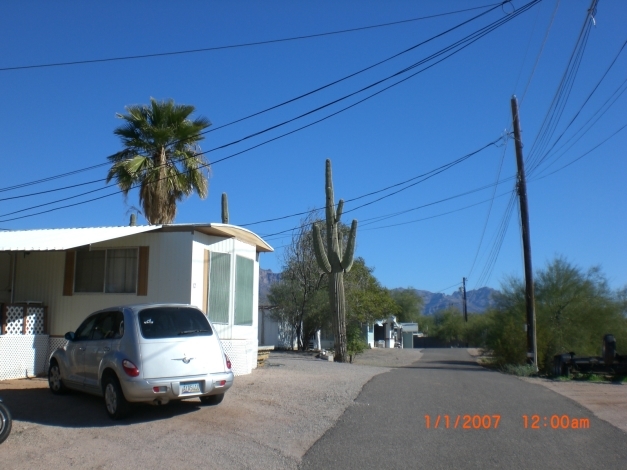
{"points": [[27, 355]]}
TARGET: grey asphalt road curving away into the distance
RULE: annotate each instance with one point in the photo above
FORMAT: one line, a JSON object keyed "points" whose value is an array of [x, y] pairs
{"points": [[386, 426]]}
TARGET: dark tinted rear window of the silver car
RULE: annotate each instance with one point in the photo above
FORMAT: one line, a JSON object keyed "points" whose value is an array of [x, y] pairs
{"points": [[172, 322]]}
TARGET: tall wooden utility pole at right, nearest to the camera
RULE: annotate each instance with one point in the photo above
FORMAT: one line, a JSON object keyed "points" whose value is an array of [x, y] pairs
{"points": [[530, 327]]}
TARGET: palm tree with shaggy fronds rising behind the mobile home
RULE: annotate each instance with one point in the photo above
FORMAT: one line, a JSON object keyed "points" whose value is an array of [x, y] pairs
{"points": [[161, 156]]}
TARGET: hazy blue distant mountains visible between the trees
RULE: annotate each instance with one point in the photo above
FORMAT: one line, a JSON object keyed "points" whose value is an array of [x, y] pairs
{"points": [[477, 301]]}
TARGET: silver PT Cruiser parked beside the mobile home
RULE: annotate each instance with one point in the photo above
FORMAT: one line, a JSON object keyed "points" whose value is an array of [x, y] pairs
{"points": [[151, 353]]}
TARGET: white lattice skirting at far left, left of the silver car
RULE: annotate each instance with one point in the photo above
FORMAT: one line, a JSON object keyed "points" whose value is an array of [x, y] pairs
{"points": [[23, 356]]}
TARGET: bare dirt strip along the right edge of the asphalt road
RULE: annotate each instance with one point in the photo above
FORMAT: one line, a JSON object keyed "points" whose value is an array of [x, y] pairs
{"points": [[608, 401]]}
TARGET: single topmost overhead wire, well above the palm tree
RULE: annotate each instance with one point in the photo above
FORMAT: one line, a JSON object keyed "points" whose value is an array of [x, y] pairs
{"points": [[248, 44]]}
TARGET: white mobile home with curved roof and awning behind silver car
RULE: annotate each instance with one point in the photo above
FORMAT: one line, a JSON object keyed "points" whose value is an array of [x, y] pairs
{"points": [[50, 280]]}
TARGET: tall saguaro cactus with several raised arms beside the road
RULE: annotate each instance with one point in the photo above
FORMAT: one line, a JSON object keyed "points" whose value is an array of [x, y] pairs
{"points": [[335, 263]]}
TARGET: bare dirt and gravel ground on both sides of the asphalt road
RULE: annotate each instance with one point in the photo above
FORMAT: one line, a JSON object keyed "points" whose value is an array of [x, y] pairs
{"points": [[269, 419]]}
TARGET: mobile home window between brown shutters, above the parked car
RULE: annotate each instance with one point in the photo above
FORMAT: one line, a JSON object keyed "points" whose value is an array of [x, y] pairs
{"points": [[111, 271]]}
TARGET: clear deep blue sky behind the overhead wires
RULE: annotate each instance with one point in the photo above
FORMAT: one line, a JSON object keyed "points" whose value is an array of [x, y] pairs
{"points": [[59, 119]]}
